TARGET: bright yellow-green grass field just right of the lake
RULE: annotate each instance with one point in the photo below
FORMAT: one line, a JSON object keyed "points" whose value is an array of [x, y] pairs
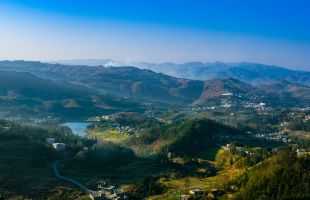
{"points": [[108, 135]]}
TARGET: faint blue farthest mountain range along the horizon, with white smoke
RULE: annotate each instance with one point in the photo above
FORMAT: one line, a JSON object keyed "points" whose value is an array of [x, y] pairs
{"points": [[247, 72]]}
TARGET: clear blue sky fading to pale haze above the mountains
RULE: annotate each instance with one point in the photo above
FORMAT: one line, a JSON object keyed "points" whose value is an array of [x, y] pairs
{"points": [[273, 32]]}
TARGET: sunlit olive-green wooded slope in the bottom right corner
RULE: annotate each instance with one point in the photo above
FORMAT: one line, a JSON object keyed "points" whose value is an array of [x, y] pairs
{"points": [[284, 176]]}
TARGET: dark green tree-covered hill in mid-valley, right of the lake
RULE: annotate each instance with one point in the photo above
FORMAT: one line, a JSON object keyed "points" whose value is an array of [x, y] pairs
{"points": [[187, 138]]}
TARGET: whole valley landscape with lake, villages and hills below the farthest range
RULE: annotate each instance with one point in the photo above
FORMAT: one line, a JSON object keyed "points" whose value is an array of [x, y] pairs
{"points": [[148, 135]]}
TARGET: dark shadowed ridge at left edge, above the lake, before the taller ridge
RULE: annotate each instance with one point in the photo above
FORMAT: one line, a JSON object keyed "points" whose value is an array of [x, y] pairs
{"points": [[25, 94]]}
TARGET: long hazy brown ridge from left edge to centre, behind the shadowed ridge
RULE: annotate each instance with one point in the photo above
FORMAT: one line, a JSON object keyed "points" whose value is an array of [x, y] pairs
{"points": [[128, 82]]}
